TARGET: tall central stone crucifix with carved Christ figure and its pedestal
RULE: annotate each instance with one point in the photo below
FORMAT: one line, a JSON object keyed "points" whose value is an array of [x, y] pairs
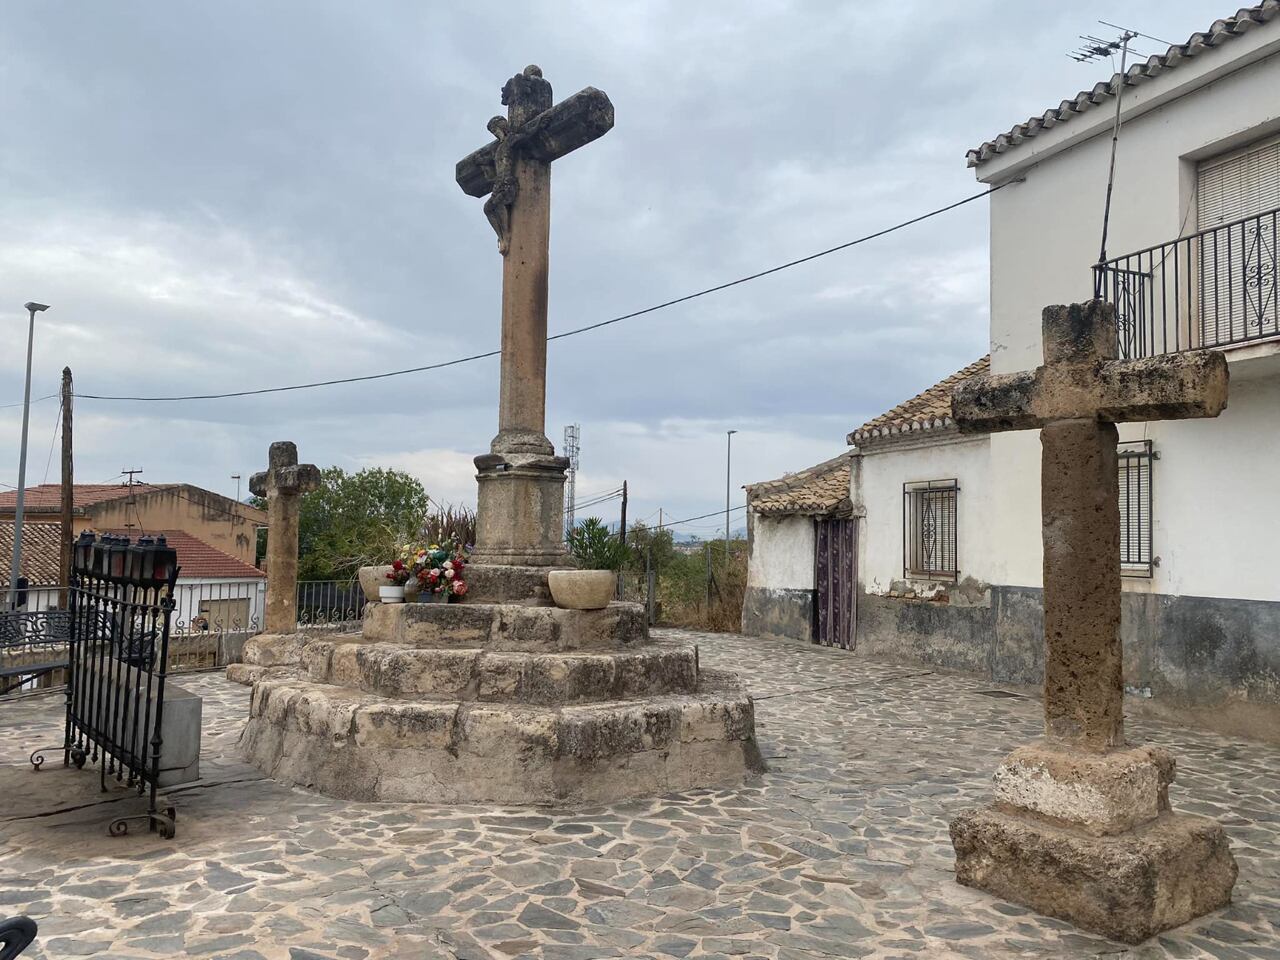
{"points": [[522, 502]]}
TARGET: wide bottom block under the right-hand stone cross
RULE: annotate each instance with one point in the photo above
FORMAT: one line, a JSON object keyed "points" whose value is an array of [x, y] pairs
{"points": [[1127, 888]]}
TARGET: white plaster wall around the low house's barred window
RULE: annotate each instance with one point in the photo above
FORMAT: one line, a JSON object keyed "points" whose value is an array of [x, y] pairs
{"points": [[883, 477]]}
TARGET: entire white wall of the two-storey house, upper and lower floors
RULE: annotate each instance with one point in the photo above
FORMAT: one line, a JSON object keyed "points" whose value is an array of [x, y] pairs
{"points": [[1214, 528]]}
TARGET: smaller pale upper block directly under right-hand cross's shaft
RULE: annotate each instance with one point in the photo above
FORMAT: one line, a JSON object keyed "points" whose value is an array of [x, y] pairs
{"points": [[1096, 793]]}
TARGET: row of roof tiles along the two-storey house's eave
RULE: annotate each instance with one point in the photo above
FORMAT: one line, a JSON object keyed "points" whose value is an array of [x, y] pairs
{"points": [[1219, 33]]}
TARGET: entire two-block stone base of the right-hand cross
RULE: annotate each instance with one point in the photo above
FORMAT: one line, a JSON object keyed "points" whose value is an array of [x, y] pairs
{"points": [[1090, 839]]}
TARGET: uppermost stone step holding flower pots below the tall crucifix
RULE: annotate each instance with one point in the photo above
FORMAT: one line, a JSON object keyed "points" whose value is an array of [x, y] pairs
{"points": [[505, 627]]}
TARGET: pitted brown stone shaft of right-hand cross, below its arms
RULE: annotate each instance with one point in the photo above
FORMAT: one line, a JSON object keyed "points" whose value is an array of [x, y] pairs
{"points": [[1084, 676]]}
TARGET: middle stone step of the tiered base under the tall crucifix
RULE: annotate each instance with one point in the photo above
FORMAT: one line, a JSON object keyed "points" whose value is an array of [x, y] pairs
{"points": [[397, 671]]}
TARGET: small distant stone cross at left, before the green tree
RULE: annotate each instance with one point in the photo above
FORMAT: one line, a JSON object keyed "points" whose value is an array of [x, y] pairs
{"points": [[282, 484]]}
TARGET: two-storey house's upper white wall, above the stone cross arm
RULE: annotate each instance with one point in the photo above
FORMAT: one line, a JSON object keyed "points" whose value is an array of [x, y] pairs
{"points": [[1045, 232]]}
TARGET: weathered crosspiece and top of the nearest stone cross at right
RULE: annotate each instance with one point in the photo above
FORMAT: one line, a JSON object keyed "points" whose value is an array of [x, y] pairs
{"points": [[1082, 380]]}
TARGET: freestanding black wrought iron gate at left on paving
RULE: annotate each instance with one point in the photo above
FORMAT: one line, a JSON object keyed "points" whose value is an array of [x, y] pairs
{"points": [[121, 602]]}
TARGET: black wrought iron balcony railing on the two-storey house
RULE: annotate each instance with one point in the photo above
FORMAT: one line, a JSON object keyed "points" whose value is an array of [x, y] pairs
{"points": [[1214, 289]]}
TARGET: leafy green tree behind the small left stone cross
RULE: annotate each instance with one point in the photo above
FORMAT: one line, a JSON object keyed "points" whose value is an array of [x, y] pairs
{"points": [[353, 520]]}
